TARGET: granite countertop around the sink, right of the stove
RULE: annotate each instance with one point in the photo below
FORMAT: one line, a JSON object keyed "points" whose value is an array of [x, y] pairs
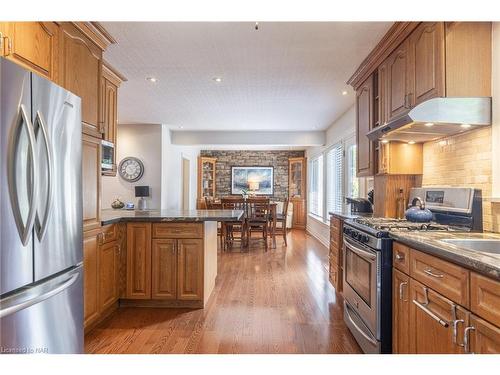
{"points": [[487, 264]]}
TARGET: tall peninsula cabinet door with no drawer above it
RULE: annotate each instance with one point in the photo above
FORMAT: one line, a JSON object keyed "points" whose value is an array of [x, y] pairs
{"points": [[138, 261]]}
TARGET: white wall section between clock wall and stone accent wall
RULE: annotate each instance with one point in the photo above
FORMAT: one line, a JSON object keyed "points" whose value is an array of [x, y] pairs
{"points": [[171, 173]]}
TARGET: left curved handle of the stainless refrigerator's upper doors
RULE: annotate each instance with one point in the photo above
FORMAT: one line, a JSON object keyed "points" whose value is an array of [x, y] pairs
{"points": [[23, 229]]}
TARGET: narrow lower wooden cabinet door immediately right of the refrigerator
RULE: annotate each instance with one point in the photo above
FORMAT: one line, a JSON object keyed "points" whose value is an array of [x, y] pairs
{"points": [[91, 278]]}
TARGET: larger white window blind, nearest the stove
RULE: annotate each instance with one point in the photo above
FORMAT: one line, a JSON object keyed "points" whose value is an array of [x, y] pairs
{"points": [[334, 178]]}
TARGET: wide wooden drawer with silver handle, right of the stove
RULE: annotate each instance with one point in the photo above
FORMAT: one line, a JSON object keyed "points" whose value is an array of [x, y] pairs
{"points": [[446, 278]]}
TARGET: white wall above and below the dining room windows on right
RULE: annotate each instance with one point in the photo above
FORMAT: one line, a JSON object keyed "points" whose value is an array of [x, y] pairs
{"points": [[342, 129]]}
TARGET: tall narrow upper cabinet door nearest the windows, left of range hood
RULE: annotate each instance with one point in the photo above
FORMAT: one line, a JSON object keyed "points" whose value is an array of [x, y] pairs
{"points": [[364, 121]]}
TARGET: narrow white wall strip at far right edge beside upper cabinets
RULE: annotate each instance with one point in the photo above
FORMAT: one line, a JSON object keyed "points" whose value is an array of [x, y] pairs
{"points": [[495, 86]]}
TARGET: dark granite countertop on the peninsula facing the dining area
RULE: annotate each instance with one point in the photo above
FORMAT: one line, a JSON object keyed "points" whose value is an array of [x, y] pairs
{"points": [[110, 216]]}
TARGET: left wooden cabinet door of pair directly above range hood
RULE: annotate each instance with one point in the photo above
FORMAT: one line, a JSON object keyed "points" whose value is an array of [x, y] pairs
{"points": [[399, 81]]}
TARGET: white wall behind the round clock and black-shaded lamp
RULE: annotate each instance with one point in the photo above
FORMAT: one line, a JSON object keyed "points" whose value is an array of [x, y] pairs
{"points": [[144, 142]]}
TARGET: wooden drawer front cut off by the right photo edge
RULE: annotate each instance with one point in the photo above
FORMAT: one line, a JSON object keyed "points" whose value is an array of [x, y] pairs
{"points": [[485, 298]]}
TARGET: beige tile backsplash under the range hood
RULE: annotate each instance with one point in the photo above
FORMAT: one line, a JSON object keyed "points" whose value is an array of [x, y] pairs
{"points": [[464, 160]]}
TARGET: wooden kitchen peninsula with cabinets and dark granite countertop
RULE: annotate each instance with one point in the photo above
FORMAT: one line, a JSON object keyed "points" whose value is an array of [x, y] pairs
{"points": [[156, 258]]}
